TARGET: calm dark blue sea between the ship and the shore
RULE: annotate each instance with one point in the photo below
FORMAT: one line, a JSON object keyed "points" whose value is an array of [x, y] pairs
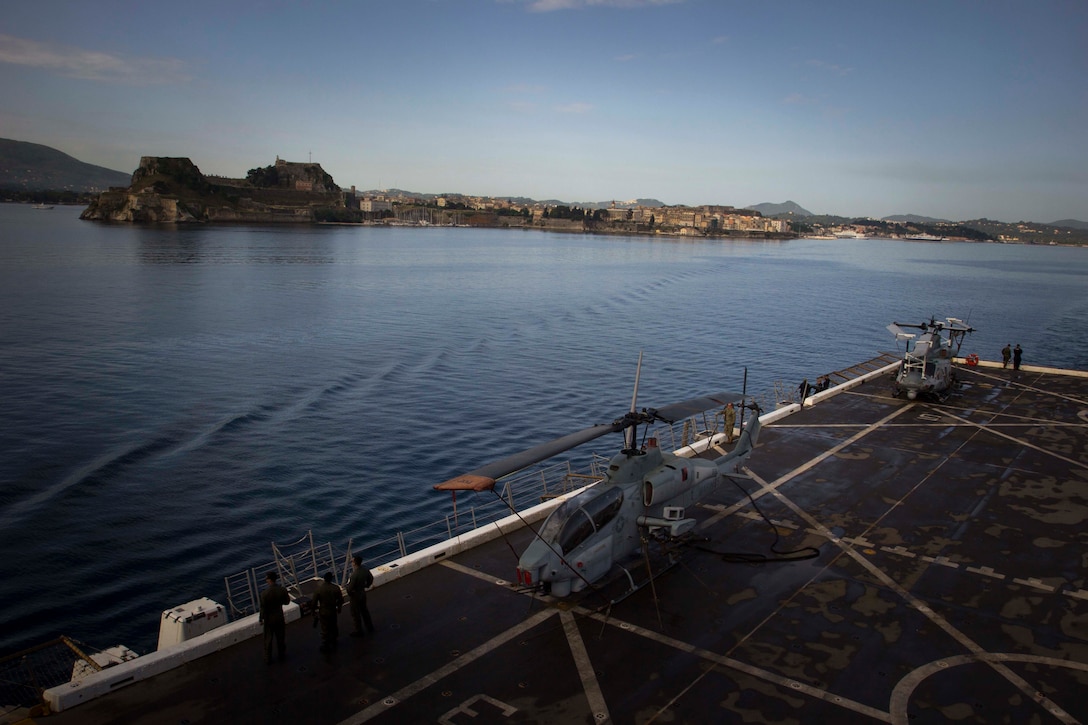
{"points": [[177, 399]]}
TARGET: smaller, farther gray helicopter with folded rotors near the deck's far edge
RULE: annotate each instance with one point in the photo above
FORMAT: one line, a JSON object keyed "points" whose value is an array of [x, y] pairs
{"points": [[928, 366]]}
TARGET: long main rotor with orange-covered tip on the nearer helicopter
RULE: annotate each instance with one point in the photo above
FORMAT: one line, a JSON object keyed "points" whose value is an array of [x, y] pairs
{"points": [[484, 478]]}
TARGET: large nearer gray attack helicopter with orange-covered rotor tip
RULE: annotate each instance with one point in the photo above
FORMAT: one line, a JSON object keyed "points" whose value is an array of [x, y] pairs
{"points": [[644, 496]]}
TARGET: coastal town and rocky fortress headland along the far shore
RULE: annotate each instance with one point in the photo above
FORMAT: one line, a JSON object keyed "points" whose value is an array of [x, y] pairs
{"points": [[174, 190]]}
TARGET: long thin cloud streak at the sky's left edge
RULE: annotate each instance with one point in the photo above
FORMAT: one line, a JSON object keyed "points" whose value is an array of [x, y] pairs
{"points": [[91, 65]]}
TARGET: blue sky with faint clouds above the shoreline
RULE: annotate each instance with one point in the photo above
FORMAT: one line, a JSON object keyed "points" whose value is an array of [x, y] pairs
{"points": [[954, 109]]}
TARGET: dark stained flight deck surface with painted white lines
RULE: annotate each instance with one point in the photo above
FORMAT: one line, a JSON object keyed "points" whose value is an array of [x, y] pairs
{"points": [[949, 585]]}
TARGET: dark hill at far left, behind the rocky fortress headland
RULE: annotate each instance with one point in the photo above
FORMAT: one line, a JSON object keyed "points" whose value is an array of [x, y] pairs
{"points": [[34, 167]]}
